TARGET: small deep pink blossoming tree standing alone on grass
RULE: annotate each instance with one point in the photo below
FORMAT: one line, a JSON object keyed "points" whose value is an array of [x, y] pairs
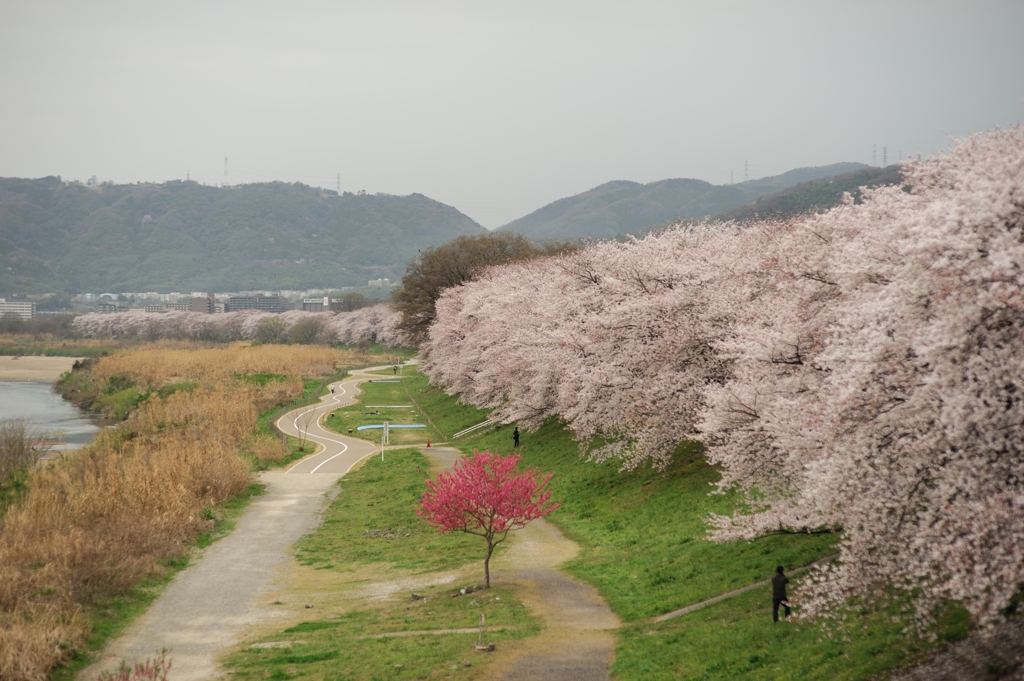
{"points": [[485, 495]]}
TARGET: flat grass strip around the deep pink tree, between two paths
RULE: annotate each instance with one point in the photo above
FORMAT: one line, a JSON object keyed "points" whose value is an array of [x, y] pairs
{"points": [[373, 523]]}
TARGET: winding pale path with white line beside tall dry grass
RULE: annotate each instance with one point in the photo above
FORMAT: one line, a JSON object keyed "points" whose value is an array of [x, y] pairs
{"points": [[208, 605]]}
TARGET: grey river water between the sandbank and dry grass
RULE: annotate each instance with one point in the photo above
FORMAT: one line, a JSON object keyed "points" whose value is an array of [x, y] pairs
{"points": [[48, 412]]}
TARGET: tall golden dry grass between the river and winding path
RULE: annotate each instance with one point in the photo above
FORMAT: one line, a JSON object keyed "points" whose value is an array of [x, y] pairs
{"points": [[95, 524]]}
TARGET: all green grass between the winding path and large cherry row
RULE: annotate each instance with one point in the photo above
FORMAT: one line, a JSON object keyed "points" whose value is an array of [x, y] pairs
{"points": [[644, 547]]}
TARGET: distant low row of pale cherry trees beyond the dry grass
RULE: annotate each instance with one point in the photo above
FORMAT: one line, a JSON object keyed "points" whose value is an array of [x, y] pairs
{"points": [[376, 324]]}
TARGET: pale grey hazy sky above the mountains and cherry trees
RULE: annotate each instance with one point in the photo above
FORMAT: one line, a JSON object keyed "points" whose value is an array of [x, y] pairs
{"points": [[496, 109]]}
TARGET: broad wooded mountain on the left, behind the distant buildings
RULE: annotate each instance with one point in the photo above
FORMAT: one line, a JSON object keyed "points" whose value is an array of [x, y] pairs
{"points": [[186, 237]]}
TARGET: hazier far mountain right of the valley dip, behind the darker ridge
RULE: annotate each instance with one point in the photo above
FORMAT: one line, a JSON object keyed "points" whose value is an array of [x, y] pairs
{"points": [[619, 207]]}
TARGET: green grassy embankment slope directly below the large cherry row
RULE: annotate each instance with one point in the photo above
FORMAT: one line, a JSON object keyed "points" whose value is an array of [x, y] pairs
{"points": [[644, 547]]}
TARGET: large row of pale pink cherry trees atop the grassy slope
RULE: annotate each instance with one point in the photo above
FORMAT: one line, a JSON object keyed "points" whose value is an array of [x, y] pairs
{"points": [[861, 370]]}
